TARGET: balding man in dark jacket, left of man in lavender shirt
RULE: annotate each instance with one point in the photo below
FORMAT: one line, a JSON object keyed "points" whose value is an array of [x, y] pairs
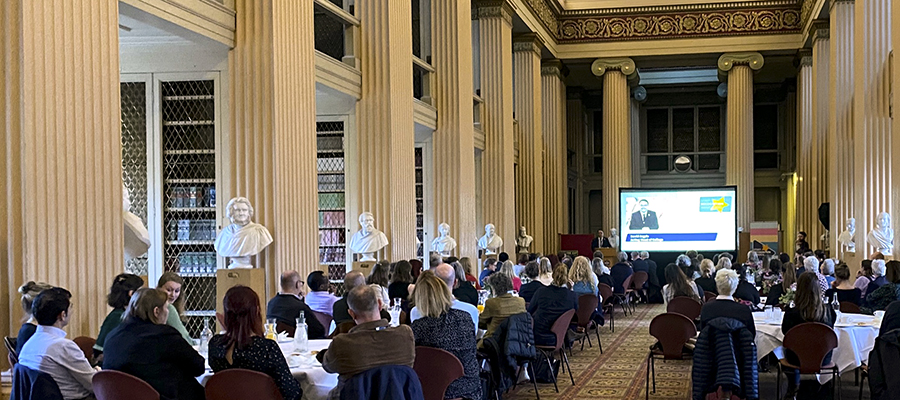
{"points": [[288, 303]]}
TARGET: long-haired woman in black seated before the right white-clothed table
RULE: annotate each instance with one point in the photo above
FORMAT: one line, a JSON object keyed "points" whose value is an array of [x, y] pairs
{"points": [[808, 307]]}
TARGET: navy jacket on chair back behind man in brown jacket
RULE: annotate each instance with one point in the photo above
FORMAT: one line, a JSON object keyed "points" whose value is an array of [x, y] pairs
{"points": [[387, 382]]}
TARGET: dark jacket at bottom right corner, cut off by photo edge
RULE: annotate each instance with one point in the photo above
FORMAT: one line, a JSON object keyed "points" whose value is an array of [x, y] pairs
{"points": [[884, 362]]}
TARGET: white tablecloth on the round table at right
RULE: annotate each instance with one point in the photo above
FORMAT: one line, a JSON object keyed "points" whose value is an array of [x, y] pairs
{"points": [[854, 341]]}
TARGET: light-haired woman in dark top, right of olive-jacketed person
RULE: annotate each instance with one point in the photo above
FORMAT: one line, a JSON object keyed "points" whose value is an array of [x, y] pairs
{"points": [[548, 304]]}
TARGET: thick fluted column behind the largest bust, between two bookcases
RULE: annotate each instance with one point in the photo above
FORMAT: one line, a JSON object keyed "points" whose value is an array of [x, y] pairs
{"points": [[273, 133]]}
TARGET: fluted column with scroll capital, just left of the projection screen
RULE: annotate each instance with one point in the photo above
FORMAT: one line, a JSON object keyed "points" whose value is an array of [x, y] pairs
{"points": [[616, 132]]}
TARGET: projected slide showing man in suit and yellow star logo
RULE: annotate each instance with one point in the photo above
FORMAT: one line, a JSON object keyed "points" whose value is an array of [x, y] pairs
{"points": [[677, 220]]}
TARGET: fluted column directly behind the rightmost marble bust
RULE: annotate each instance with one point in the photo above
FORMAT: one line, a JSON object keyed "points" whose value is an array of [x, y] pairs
{"points": [[871, 117]]}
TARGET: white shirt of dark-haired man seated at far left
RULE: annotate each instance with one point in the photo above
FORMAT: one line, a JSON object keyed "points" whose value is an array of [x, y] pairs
{"points": [[50, 352]]}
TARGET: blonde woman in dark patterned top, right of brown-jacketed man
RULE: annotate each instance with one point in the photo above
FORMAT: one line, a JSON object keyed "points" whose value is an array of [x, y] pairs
{"points": [[447, 329]]}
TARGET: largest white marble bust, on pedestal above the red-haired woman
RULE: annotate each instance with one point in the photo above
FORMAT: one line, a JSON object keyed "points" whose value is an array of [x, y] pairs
{"points": [[243, 238]]}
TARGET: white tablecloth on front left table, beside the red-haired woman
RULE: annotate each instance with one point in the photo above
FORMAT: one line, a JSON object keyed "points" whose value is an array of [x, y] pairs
{"points": [[315, 382]]}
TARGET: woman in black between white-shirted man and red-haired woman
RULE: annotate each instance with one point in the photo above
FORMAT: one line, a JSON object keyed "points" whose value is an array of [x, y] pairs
{"points": [[144, 346]]}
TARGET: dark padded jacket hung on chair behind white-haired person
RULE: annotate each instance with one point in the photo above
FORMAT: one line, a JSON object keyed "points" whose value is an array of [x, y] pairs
{"points": [[725, 355]]}
